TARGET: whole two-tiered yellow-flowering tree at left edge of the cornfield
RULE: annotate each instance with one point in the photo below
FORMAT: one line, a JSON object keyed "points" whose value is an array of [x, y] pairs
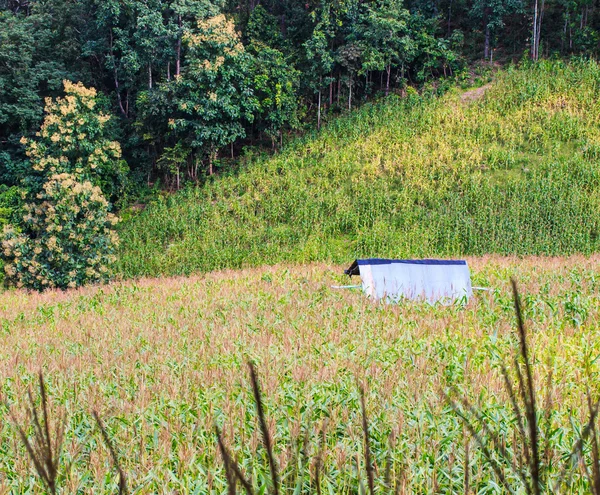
{"points": [[66, 237]]}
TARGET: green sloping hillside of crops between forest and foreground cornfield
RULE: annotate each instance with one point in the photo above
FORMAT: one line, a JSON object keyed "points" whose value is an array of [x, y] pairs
{"points": [[512, 172]]}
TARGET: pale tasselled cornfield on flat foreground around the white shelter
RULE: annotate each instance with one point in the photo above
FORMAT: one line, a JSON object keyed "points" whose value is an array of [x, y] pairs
{"points": [[163, 360]]}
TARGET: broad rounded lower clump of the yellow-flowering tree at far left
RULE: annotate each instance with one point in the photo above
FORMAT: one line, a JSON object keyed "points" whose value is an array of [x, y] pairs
{"points": [[67, 238]]}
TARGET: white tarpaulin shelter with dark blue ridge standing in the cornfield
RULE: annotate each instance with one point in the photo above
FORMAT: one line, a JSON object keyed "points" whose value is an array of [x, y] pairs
{"points": [[430, 280]]}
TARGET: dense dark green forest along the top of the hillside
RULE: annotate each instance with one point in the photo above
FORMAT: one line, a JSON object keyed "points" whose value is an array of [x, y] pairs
{"points": [[190, 83]]}
